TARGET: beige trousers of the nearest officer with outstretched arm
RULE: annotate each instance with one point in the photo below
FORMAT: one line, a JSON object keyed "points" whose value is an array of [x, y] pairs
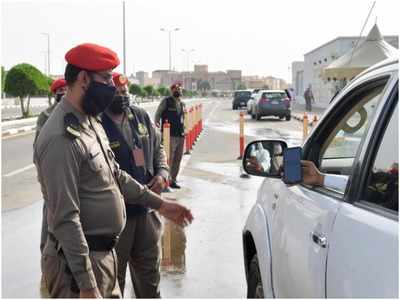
{"points": [[59, 280]]}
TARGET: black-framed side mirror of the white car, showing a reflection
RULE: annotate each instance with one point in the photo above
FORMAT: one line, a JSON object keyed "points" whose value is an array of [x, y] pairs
{"points": [[264, 158]]}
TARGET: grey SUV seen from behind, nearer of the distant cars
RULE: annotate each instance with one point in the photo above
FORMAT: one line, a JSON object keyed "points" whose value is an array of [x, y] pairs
{"points": [[271, 103]]}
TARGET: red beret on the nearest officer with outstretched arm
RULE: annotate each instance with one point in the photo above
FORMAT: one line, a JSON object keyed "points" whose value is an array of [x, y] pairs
{"points": [[92, 57]]}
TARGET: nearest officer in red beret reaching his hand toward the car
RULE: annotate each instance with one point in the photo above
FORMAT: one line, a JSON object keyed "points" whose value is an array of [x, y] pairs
{"points": [[82, 184]]}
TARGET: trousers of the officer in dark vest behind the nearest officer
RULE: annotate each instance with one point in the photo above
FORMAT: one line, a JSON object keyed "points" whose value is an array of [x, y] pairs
{"points": [[139, 245]]}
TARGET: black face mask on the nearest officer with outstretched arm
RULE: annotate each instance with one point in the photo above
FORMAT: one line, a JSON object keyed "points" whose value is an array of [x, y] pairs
{"points": [[97, 98]]}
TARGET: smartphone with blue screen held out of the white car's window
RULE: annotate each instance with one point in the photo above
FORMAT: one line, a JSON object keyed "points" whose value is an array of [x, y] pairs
{"points": [[292, 166]]}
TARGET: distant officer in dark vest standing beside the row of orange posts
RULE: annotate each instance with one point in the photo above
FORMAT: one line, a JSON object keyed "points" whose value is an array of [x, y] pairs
{"points": [[172, 109]]}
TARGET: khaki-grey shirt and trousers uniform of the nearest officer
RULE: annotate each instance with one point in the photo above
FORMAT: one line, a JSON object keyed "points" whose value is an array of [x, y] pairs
{"points": [[84, 191]]}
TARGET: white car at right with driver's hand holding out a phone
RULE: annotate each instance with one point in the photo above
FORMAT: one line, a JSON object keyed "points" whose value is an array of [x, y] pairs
{"points": [[338, 242]]}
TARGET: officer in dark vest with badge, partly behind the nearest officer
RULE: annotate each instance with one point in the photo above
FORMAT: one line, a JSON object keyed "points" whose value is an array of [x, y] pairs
{"points": [[138, 150]]}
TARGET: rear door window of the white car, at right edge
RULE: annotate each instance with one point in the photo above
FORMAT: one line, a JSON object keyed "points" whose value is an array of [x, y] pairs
{"points": [[383, 182]]}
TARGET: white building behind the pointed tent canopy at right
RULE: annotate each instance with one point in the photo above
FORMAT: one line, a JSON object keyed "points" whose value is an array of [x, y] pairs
{"points": [[310, 71]]}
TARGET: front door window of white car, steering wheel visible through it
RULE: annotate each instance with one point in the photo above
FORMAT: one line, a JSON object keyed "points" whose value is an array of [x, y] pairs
{"points": [[341, 145]]}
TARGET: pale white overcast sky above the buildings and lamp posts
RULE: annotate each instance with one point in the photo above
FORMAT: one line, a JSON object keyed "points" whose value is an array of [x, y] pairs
{"points": [[259, 37]]}
